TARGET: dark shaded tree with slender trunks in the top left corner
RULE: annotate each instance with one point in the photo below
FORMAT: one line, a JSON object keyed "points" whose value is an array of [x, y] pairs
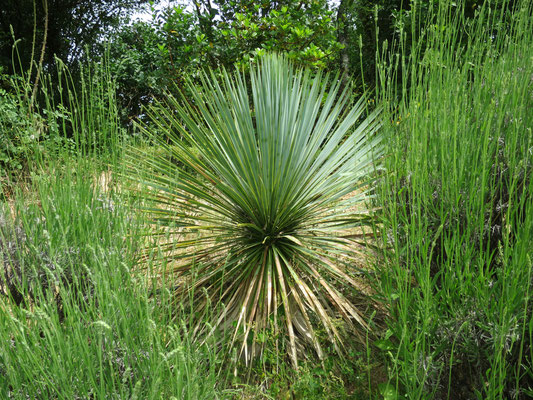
{"points": [[71, 27]]}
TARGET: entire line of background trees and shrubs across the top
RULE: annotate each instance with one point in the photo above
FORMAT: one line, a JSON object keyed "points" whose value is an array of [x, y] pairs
{"points": [[150, 56]]}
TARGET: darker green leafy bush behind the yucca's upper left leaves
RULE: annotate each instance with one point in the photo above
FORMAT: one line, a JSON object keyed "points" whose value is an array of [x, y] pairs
{"points": [[151, 57]]}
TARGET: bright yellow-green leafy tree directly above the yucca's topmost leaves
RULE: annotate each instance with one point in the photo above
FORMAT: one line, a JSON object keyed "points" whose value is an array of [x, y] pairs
{"points": [[239, 30]]}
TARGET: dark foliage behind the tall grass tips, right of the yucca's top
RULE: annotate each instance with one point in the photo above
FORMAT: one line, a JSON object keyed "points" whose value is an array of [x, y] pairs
{"points": [[372, 29]]}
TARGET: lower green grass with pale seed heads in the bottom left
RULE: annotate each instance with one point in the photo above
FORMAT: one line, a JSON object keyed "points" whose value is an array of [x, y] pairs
{"points": [[111, 340]]}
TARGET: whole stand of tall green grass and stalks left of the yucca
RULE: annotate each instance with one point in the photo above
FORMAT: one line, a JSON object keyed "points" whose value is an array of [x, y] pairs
{"points": [[77, 320]]}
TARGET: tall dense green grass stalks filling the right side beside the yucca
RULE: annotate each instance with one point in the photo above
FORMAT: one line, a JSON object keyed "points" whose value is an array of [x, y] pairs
{"points": [[458, 206]]}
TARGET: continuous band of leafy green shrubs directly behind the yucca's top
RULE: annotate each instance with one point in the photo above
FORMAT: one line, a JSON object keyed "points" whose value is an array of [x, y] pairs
{"points": [[160, 54]]}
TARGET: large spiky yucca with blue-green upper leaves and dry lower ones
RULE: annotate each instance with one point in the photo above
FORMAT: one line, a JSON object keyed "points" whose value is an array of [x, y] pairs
{"points": [[255, 185]]}
